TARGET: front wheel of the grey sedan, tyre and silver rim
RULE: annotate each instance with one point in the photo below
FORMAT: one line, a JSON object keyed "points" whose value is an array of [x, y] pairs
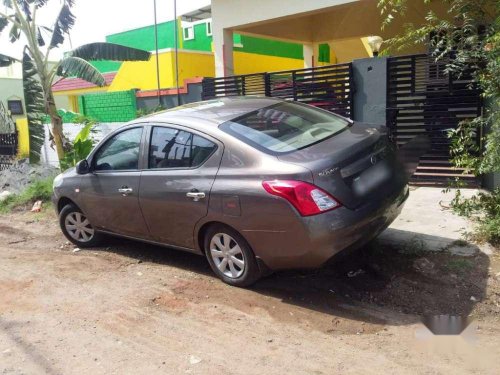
{"points": [[77, 228]]}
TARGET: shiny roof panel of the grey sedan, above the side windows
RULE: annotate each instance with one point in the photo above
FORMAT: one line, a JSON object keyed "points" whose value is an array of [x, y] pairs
{"points": [[215, 111]]}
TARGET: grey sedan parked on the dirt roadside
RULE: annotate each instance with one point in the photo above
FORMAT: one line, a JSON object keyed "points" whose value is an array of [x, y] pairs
{"points": [[253, 184]]}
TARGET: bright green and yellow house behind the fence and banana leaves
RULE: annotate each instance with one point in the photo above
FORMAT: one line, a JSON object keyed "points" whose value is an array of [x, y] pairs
{"points": [[195, 59]]}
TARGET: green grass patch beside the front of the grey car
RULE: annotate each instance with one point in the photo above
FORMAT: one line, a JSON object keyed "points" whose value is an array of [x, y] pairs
{"points": [[40, 190]]}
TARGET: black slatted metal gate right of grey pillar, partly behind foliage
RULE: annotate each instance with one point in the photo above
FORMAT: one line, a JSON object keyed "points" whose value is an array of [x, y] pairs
{"points": [[423, 99]]}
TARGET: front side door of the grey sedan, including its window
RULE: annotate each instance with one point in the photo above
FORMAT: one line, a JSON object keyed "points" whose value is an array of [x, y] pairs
{"points": [[110, 194]]}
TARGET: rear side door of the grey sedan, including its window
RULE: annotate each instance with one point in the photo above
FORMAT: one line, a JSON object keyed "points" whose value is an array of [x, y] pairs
{"points": [[176, 184]]}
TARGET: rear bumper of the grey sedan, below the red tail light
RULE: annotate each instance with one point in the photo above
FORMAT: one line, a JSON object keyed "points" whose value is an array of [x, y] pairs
{"points": [[323, 236]]}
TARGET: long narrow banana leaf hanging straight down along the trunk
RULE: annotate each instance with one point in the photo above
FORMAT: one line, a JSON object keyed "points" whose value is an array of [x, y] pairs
{"points": [[34, 99]]}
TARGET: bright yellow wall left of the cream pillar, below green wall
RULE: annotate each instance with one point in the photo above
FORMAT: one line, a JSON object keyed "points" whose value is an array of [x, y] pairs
{"points": [[142, 74]]}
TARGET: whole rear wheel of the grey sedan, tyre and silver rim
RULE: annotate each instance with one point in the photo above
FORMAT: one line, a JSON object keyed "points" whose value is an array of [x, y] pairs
{"points": [[230, 256]]}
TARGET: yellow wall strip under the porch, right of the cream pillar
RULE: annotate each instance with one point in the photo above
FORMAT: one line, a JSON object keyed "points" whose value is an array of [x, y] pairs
{"points": [[246, 63]]}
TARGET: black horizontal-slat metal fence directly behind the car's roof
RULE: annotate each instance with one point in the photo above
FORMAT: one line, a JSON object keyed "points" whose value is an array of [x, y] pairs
{"points": [[329, 87]]}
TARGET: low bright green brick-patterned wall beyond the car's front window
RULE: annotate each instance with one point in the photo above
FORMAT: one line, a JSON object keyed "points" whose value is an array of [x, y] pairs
{"points": [[119, 106]]}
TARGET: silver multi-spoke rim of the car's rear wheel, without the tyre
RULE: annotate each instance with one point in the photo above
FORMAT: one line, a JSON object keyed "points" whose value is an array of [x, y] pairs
{"points": [[227, 255]]}
